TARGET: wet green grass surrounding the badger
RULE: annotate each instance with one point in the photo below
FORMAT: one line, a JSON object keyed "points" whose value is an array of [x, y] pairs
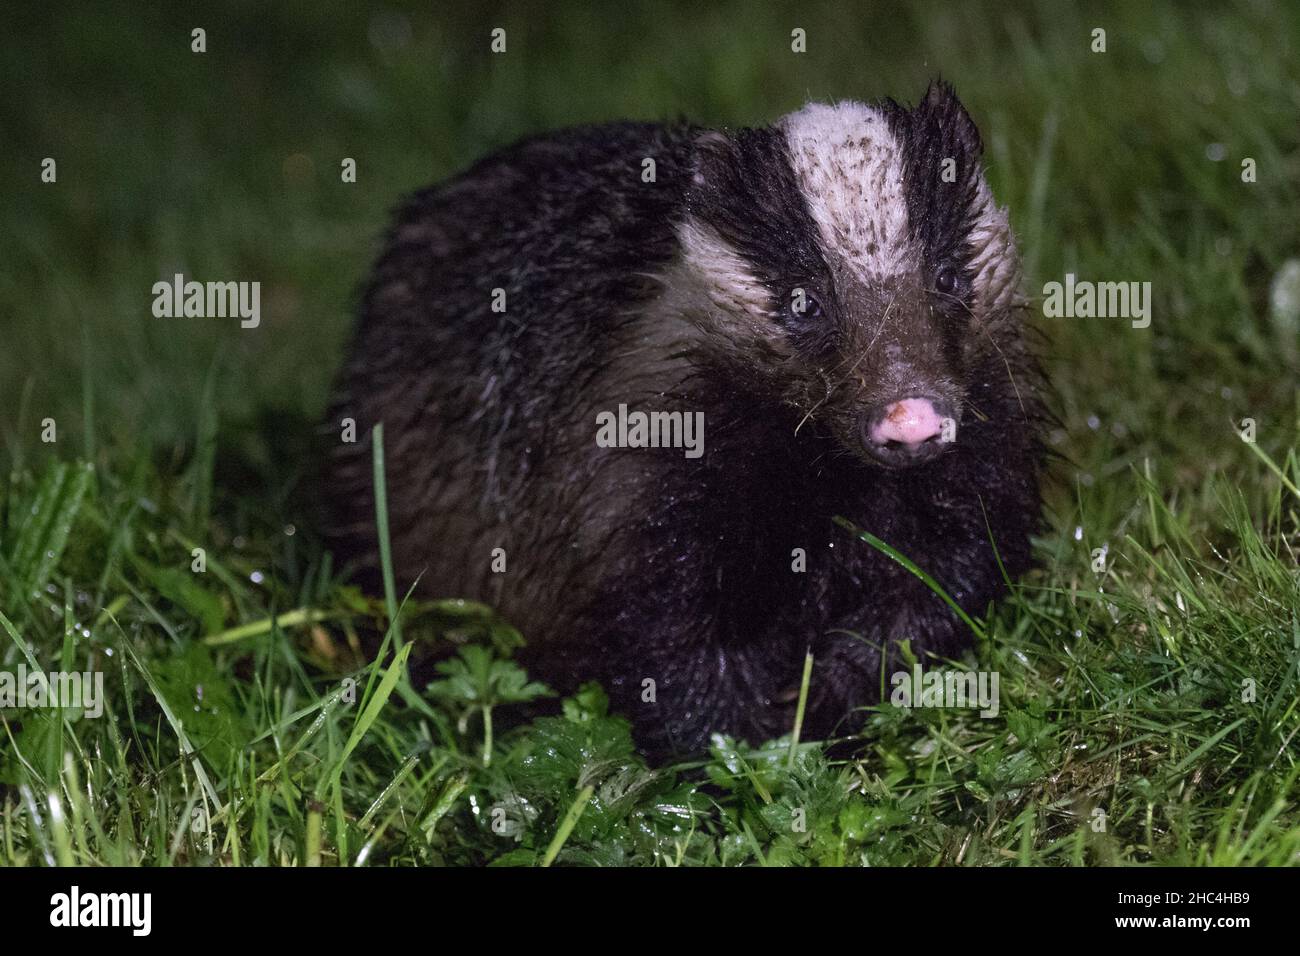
{"points": [[244, 723]]}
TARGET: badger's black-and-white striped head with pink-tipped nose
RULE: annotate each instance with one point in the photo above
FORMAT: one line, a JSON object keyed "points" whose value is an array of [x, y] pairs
{"points": [[851, 262]]}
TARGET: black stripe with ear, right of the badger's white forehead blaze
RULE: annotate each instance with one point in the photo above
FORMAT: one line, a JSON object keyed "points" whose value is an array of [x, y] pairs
{"points": [[941, 214]]}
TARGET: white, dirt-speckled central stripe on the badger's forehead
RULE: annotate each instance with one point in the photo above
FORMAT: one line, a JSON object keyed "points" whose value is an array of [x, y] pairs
{"points": [[850, 167]]}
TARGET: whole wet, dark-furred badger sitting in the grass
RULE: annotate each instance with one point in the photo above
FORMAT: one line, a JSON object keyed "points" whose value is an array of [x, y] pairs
{"points": [[846, 317]]}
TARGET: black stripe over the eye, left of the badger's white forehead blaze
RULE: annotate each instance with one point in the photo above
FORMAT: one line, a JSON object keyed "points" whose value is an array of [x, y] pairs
{"points": [[746, 188]]}
